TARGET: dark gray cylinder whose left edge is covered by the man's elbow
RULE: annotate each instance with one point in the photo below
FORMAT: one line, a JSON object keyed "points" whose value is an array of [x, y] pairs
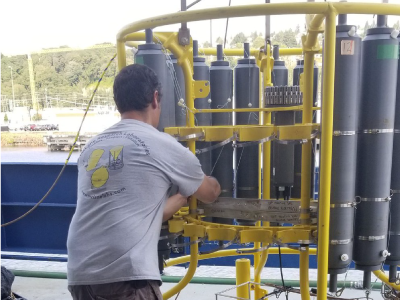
{"points": [[221, 85]]}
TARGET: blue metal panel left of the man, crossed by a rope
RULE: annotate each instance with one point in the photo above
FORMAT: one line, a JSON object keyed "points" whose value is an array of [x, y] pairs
{"points": [[44, 230]]}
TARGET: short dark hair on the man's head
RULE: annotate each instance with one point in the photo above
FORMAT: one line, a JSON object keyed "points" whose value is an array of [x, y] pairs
{"points": [[134, 88]]}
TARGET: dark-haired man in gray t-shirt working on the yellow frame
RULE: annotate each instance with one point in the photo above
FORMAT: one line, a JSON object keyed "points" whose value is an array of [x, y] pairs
{"points": [[124, 177]]}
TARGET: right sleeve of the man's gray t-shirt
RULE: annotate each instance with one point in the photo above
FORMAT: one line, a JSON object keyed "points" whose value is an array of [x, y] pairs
{"points": [[182, 167]]}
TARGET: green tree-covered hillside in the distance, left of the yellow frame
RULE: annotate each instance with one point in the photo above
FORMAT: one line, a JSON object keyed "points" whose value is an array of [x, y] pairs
{"points": [[58, 72]]}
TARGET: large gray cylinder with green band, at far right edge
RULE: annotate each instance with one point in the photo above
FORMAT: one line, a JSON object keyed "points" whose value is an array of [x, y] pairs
{"points": [[375, 149]]}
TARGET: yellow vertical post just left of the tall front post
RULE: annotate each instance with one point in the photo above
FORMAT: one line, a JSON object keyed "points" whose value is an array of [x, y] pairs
{"points": [[308, 78]]}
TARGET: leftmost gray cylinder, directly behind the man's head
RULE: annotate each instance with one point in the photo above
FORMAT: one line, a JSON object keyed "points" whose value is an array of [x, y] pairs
{"points": [[151, 55]]}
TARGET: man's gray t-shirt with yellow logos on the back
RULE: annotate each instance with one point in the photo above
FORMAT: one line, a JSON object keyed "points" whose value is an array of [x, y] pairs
{"points": [[124, 176]]}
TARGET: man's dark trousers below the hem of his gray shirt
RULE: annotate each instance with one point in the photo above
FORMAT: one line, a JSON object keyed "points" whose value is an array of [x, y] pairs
{"points": [[125, 290]]}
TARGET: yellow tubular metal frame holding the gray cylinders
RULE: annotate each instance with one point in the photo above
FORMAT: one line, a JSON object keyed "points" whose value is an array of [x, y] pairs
{"points": [[319, 13]]}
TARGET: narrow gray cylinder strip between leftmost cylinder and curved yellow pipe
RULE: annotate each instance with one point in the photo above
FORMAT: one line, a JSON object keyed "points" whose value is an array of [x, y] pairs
{"points": [[179, 92]]}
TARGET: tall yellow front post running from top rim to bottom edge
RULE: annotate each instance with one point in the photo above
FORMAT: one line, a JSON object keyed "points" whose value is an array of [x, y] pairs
{"points": [[326, 152]]}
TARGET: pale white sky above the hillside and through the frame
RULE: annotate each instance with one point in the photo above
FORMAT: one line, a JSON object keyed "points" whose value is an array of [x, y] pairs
{"points": [[30, 25]]}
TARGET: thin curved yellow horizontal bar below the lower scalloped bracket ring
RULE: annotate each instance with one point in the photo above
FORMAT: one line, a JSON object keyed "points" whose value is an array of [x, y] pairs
{"points": [[232, 252]]}
